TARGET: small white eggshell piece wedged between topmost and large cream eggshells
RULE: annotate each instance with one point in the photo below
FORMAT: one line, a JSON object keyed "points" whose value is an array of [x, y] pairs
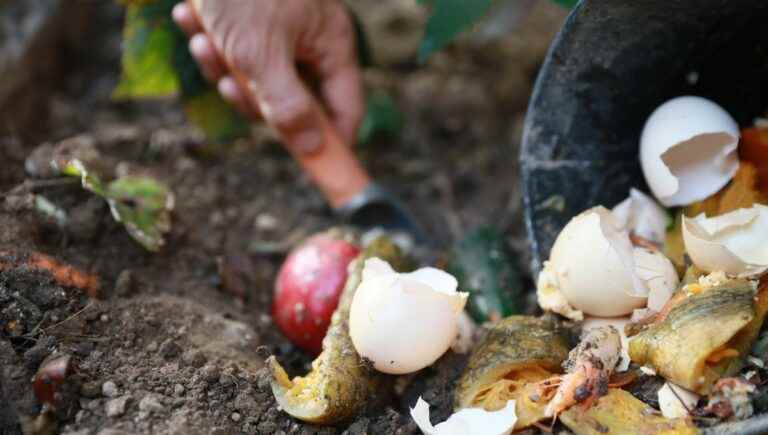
{"points": [[641, 215]]}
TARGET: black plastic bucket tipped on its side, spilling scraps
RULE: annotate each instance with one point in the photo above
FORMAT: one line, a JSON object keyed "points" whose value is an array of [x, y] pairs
{"points": [[611, 65]]}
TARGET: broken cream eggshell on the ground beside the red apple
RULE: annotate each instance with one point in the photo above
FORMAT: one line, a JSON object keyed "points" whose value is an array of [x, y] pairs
{"points": [[404, 322]]}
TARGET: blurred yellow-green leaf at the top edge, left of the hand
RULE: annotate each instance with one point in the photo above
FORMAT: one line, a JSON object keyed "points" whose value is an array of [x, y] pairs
{"points": [[149, 42]]}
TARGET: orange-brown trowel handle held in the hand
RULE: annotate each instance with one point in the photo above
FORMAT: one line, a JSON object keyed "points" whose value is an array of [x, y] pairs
{"points": [[333, 167]]}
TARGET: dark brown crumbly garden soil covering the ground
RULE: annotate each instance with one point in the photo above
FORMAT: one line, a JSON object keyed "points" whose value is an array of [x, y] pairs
{"points": [[174, 342]]}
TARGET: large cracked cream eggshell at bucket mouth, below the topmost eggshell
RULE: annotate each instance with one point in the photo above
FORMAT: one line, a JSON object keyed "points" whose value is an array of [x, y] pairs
{"points": [[598, 272]]}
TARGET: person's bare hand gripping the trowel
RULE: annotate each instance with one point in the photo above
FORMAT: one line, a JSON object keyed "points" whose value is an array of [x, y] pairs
{"points": [[252, 49]]}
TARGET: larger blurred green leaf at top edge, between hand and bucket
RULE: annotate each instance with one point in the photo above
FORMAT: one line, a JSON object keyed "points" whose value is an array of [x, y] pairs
{"points": [[449, 18]]}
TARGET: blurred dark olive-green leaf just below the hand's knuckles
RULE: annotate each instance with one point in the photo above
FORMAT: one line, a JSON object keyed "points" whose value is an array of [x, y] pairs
{"points": [[219, 121]]}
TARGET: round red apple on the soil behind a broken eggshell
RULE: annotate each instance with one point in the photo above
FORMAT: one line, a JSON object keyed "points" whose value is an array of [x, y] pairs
{"points": [[308, 288]]}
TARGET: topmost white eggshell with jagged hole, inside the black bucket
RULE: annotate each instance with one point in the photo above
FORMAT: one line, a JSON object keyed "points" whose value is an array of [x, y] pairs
{"points": [[688, 150]]}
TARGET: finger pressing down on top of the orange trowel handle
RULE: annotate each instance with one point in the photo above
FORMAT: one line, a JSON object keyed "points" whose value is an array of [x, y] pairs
{"points": [[287, 105]]}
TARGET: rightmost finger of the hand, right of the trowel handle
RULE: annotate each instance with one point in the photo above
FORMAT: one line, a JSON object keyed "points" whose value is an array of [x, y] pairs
{"points": [[342, 90]]}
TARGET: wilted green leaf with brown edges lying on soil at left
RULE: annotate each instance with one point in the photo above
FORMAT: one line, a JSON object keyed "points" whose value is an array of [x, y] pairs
{"points": [[142, 204]]}
